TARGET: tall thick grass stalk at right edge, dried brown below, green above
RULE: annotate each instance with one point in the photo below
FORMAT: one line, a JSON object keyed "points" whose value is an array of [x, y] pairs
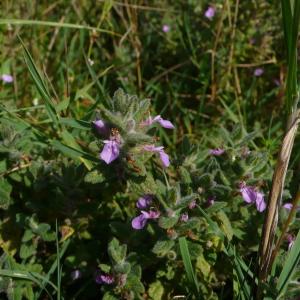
{"points": [[291, 17]]}
